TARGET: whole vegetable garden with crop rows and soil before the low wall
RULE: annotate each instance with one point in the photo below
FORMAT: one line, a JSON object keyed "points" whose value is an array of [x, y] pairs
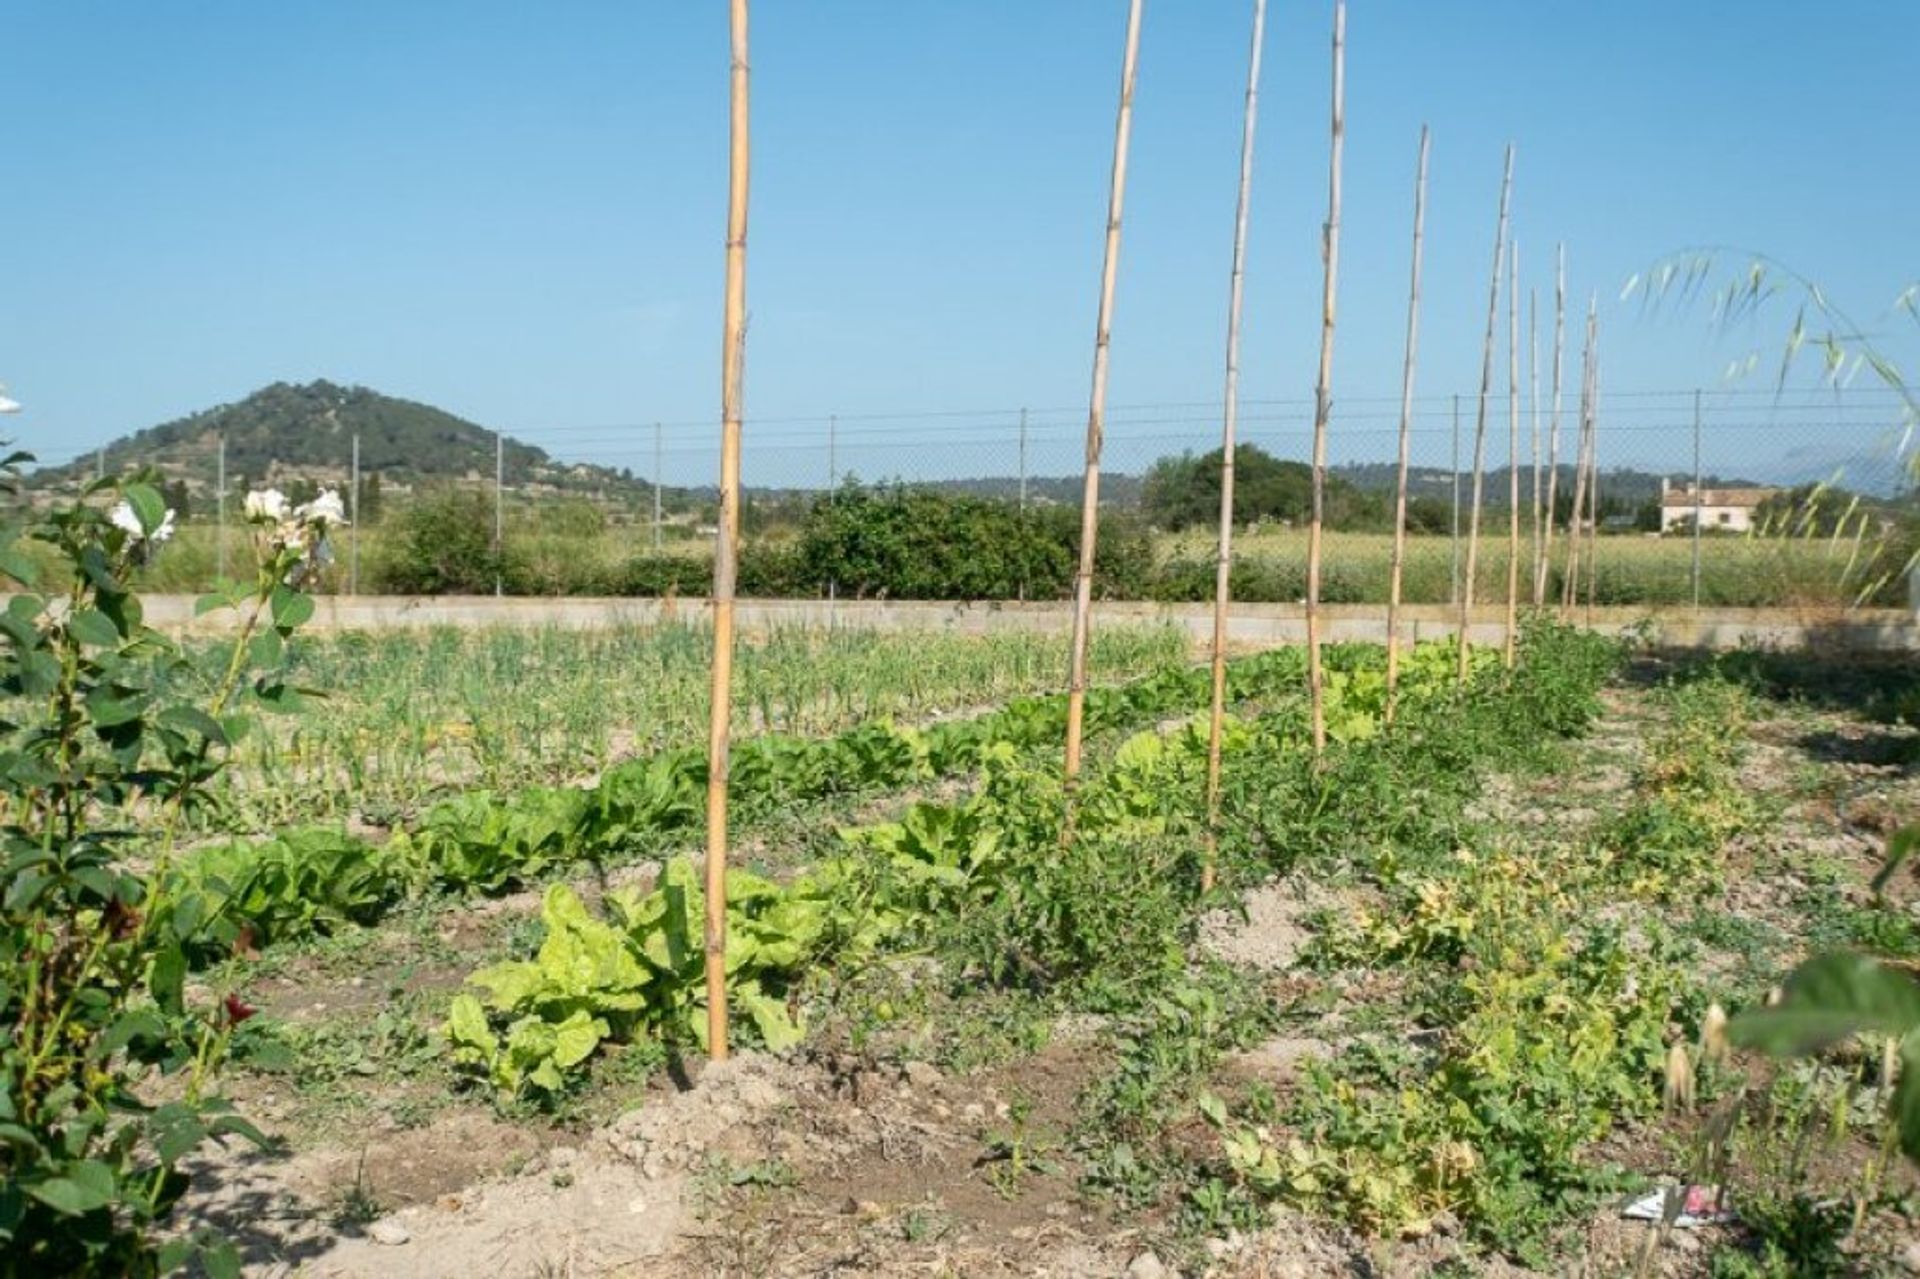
{"points": [[1439, 996]]}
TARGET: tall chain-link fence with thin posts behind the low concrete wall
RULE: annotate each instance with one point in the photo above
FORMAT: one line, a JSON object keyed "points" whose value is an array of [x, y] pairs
{"points": [[1717, 498]]}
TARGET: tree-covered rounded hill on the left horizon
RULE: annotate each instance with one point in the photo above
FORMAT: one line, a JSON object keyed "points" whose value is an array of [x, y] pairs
{"points": [[308, 431]]}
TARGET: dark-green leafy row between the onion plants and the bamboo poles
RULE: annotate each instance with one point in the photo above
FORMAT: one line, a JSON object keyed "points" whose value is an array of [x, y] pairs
{"points": [[254, 892]]}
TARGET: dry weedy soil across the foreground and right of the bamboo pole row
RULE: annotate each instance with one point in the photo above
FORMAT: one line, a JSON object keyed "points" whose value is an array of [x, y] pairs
{"points": [[1541, 930]]}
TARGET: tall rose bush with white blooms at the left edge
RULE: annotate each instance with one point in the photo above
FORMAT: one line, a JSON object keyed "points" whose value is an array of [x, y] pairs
{"points": [[108, 740]]}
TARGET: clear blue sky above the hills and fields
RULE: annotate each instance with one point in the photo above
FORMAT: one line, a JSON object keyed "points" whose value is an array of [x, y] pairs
{"points": [[516, 212]]}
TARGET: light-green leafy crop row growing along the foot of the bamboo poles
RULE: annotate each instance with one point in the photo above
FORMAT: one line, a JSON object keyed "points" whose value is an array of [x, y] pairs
{"points": [[1020, 884]]}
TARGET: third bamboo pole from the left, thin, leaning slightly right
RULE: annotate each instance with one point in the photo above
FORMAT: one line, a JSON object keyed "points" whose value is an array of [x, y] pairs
{"points": [[1230, 422]]}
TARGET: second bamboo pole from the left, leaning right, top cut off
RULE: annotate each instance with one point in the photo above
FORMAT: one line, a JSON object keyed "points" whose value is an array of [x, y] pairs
{"points": [[1097, 402]]}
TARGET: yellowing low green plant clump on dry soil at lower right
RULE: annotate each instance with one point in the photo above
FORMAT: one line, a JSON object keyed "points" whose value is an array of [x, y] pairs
{"points": [[1552, 1034]]}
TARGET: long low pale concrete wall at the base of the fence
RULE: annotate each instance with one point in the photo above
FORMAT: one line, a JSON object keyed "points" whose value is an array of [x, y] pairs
{"points": [[1249, 625]]}
